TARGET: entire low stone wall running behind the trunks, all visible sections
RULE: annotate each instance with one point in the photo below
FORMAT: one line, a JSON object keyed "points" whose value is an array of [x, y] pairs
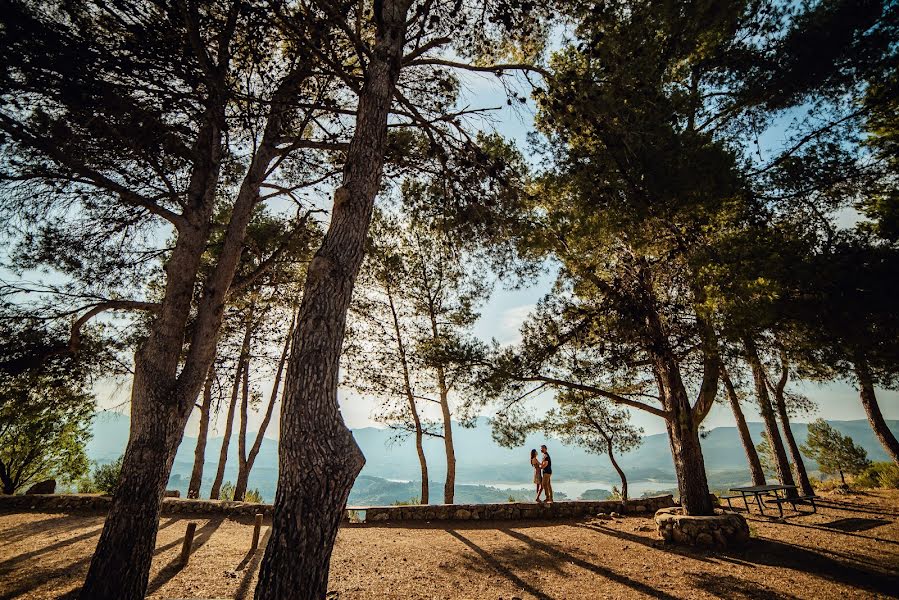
{"points": [[373, 514]]}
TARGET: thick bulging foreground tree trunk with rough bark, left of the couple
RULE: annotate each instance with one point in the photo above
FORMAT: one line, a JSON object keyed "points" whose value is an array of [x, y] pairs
{"points": [[318, 458]]}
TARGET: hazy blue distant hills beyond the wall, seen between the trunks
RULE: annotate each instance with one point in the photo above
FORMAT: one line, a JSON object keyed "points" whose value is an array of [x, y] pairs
{"points": [[391, 462]]}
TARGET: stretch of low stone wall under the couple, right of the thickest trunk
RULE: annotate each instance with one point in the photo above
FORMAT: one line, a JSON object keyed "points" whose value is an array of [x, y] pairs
{"points": [[512, 510]]}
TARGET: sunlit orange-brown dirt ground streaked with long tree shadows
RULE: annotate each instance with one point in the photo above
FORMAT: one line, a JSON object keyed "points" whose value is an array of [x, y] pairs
{"points": [[850, 549]]}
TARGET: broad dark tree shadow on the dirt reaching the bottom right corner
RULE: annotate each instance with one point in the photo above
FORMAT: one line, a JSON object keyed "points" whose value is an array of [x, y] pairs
{"points": [[764, 551]]}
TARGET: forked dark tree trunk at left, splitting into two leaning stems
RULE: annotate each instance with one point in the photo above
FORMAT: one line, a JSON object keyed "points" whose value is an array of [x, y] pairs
{"points": [[120, 566]]}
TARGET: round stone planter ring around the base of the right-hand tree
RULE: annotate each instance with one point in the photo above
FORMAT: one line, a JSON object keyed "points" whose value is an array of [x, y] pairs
{"points": [[721, 530]]}
